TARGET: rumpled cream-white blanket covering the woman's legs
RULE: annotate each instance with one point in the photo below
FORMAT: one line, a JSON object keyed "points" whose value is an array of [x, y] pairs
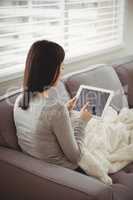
{"points": [[108, 145]]}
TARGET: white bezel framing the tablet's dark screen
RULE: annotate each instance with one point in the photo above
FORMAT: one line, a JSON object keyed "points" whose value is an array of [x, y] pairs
{"points": [[111, 94]]}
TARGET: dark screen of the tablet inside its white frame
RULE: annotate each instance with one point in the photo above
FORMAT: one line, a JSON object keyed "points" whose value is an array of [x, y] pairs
{"points": [[97, 100]]}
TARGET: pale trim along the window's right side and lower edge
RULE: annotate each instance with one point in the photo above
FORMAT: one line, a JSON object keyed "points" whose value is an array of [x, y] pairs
{"points": [[112, 56]]}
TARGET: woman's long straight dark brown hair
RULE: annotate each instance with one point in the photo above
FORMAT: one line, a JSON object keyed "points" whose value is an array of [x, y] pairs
{"points": [[42, 69]]}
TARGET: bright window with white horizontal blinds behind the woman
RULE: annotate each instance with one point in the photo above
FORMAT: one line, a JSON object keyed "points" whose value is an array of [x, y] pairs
{"points": [[80, 26]]}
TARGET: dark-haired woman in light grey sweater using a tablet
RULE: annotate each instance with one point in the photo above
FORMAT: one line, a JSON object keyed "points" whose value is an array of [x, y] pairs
{"points": [[44, 128]]}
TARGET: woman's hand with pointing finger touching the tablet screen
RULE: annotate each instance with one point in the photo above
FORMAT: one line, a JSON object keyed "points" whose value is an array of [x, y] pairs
{"points": [[84, 113]]}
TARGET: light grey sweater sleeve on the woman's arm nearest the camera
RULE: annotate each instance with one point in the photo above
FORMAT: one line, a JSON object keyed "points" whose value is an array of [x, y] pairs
{"points": [[65, 133]]}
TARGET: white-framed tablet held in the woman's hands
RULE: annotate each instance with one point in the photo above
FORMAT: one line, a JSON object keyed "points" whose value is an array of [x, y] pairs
{"points": [[98, 98]]}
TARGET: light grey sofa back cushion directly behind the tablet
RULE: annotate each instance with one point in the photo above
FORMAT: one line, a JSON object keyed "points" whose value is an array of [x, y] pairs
{"points": [[103, 76]]}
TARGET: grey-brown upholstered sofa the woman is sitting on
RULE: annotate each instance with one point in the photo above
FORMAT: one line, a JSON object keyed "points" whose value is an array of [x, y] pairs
{"points": [[23, 177]]}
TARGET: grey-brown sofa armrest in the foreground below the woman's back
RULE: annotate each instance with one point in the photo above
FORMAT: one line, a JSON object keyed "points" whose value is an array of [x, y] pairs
{"points": [[25, 177]]}
